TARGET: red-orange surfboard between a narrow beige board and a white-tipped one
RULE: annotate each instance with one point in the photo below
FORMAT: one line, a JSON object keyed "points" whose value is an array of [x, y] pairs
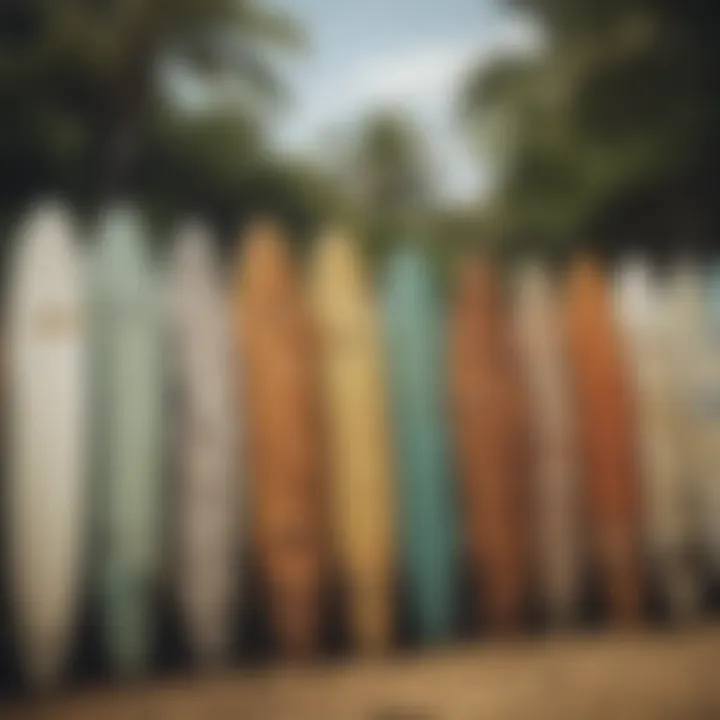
{"points": [[607, 436]]}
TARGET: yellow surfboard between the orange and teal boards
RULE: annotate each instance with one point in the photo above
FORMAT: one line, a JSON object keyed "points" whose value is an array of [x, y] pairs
{"points": [[357, 442]]}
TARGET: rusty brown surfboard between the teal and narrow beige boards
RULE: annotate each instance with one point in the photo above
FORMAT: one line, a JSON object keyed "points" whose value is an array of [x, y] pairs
{"points": [[489, 423]]}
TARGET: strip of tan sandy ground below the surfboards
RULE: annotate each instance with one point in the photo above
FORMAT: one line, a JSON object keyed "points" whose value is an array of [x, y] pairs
{"points": [[627, 675]]}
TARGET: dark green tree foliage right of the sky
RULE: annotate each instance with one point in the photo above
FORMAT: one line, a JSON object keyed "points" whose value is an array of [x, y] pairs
{"points": [[611, 134]]}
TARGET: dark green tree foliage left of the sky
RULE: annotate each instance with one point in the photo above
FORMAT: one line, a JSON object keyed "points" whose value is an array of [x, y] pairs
{"points": [[93, 108]]}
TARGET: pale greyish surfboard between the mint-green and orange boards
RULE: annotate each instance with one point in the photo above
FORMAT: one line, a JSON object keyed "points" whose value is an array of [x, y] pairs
{"points": [[207, 487]]}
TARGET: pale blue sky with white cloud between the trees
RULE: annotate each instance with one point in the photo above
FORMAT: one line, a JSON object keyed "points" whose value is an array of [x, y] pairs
{"points": [[412, 54]]}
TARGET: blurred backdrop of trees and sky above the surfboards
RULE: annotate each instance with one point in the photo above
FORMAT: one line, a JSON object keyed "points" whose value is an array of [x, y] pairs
{"points": [[527, 124]]}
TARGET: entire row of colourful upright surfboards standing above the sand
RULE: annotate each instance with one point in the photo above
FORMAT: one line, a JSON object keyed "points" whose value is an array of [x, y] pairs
{"points": [[544, 429]]}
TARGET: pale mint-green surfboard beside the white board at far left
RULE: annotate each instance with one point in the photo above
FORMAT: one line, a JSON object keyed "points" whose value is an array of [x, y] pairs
{"points": [[128, 397]]}
